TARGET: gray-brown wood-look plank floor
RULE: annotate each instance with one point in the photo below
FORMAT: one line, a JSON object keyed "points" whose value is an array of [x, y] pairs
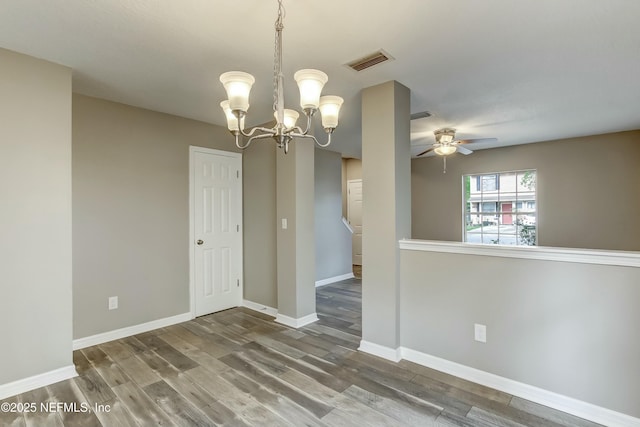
{"points": [[239, 368]]}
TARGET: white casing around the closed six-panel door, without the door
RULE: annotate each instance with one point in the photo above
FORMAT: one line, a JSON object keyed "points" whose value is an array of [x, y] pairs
{"points": [[192, 227]]}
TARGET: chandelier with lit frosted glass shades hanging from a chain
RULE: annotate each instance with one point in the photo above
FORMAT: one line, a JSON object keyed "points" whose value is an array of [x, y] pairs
{"points": [[310, 82]]}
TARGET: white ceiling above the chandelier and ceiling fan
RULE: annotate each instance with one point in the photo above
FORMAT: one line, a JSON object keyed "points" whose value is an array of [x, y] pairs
{"points": [[521, 71]]}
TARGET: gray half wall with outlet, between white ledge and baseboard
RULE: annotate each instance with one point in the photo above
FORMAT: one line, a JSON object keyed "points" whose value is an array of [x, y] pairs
{"points": [[564, 327]]}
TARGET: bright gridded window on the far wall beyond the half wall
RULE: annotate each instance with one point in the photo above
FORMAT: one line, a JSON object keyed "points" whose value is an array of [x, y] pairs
{"points": [[500, 208]]}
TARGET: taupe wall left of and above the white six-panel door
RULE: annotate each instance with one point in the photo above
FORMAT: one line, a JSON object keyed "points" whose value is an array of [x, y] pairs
{"points": [[131, 212]]}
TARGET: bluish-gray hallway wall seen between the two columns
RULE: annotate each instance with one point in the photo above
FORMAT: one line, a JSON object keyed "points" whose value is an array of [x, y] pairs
{"points": [[333, 239]]}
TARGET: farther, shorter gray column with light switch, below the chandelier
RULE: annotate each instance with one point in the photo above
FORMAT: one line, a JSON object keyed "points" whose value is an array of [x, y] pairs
{"points": [[296, 244]]}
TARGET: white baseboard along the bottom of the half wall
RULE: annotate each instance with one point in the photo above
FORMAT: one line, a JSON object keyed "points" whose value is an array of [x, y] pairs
{"points": [[562, 403]]}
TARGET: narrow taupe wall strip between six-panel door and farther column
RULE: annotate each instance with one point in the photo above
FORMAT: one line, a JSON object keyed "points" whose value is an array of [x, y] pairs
{"points": [[260, 221]]}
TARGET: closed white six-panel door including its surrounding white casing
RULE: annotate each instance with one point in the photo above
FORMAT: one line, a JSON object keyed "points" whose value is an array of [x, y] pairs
{"points": [[216, 271]]}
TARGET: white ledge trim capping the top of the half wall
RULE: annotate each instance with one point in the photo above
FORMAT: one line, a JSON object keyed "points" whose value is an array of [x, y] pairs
{"points": [[582, 256]]}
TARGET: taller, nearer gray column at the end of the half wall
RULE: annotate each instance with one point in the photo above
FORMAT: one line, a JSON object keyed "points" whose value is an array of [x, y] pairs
{"points": [[386, 212]]}
